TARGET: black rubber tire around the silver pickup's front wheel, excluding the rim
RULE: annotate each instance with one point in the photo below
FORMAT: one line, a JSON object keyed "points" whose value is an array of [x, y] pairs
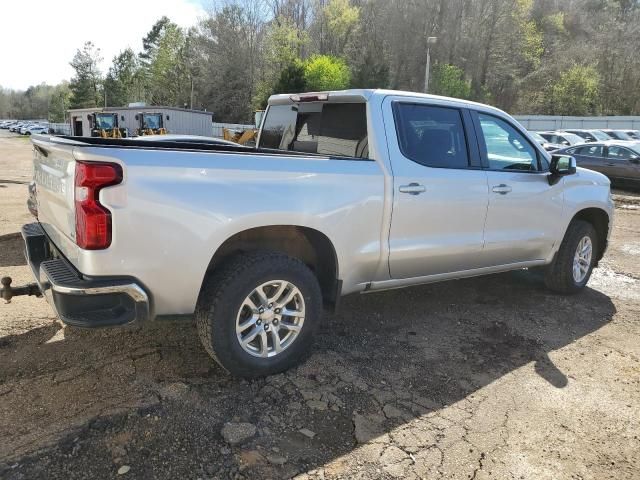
{"points": [[559, 274]]}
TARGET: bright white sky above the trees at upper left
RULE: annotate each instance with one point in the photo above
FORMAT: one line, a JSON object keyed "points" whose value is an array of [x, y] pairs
{"points": [[40, 37]]}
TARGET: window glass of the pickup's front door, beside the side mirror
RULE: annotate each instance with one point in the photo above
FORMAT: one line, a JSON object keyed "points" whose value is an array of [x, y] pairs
{"points": [[506, 148]]}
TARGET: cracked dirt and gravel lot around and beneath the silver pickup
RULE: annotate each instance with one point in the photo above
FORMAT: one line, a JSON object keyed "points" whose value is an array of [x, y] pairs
{"points": [[490, 378]]}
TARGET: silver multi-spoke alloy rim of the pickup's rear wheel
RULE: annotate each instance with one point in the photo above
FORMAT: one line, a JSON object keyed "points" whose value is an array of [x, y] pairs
{"points": [[270, 318]]}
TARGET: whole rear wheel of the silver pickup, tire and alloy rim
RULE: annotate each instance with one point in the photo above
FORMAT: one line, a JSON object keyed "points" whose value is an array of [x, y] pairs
{"points": [[257, 315]]}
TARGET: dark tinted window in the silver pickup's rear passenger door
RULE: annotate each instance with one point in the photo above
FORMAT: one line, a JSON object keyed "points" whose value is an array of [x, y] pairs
{"points": [[431, 136]]}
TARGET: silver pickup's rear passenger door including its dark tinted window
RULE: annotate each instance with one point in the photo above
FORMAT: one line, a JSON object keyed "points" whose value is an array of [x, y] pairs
{"points": [[439, 189]]}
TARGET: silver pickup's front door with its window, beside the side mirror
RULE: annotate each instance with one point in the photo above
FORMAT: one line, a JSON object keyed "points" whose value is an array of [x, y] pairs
{"points": [[522, 219]]}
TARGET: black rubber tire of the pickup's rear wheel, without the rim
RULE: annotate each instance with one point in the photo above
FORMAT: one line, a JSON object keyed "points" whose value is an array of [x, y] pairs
{"points": [[222, 296]]}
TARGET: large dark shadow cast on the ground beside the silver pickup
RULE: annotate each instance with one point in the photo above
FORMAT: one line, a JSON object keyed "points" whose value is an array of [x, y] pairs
{"points": [[95, 399]]}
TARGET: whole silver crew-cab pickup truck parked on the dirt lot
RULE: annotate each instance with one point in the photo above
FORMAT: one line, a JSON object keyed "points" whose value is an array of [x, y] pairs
{"points": [[350, 191]]}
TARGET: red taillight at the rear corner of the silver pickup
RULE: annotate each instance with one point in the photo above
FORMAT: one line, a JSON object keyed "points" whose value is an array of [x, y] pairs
{"points": [[93, 221]]}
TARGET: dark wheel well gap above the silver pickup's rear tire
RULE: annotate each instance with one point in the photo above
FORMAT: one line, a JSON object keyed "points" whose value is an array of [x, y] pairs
{"points": [[309, 245]]}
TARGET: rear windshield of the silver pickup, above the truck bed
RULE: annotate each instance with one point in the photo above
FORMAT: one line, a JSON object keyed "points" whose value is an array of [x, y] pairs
{"points": [[334, 129]]}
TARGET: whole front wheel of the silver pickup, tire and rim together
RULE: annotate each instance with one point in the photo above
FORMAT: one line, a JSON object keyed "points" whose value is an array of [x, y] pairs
{"points": [[574, 262]]}
